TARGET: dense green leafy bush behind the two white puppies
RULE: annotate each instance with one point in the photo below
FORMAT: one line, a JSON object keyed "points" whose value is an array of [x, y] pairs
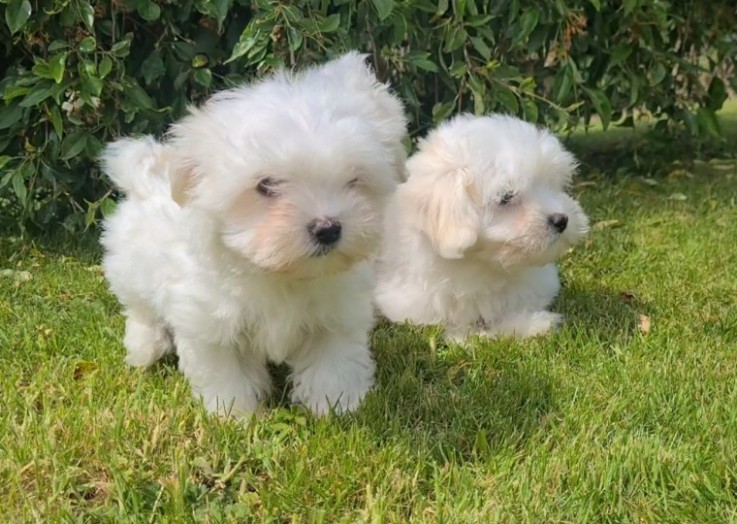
{"points": [[77, 73]]}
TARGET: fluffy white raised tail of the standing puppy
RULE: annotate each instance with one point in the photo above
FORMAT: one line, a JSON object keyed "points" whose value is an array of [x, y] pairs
{"points": [[137, 166]]}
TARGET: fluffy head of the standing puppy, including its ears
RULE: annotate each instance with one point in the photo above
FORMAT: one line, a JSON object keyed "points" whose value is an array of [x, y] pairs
{"points": [[294, 170]]}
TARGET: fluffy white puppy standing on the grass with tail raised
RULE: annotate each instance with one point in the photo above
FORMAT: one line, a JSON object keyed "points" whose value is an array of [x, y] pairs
{"points": [[248, 236]]}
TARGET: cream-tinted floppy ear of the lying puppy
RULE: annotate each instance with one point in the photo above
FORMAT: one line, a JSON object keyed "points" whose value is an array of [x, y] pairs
{"points": [[445, 211]]}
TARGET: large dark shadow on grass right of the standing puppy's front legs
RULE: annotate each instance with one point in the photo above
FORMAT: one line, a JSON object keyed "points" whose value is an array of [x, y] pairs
{"points": [[460, 402]]}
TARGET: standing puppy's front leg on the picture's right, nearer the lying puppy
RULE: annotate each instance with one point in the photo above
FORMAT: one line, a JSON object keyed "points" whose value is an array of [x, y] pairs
{"points": [[334, 370]]}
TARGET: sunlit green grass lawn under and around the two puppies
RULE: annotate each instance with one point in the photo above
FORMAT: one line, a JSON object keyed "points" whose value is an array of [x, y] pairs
{"points": [[628, 414]]}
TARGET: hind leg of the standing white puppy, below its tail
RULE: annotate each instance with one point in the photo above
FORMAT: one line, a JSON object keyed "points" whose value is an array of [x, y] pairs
{"points": [[146, 339]]}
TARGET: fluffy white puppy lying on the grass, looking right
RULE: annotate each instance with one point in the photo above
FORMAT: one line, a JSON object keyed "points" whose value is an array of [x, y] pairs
{"points": [[470, 237]]}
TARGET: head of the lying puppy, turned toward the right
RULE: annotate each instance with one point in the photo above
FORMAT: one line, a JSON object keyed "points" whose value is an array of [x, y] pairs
{"points": [[494, 188]]}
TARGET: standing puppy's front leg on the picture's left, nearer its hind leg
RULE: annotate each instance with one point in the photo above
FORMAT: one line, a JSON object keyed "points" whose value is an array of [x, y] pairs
{"points": [[228, 382]]}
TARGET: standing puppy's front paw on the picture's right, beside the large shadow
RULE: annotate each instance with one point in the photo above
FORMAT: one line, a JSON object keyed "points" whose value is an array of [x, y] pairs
{"points": [[338, 382]]}
